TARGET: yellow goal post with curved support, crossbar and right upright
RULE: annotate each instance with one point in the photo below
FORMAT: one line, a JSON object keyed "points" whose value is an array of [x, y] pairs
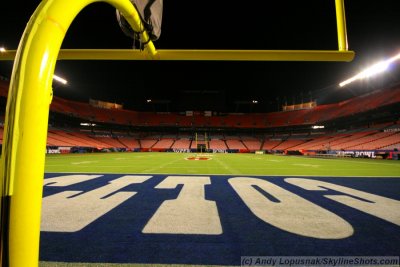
{"points": [[30, 95]]}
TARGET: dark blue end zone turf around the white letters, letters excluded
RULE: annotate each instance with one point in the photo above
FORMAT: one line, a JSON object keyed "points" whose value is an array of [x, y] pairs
{"points": [[116, 237]]}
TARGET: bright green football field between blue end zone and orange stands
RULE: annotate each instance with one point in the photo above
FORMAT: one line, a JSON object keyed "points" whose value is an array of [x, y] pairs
{"points": [[235, 164]]}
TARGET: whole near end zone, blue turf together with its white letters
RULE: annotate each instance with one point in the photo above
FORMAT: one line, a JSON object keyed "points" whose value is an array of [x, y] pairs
{"points": [[214, 220]]}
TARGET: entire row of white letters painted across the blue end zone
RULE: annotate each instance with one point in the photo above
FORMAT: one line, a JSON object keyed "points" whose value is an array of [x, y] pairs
{"points": [[191, 213]]}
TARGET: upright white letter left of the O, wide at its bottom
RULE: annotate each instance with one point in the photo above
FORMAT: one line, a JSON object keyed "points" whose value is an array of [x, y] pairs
{"points": [[189, 213]]}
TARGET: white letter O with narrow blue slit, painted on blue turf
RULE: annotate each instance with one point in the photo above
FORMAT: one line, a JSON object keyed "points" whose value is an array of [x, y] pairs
{"points": [[292, 213]]}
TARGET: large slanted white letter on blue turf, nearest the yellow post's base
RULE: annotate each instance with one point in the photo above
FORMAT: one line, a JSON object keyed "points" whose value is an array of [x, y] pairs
{"points": [[63, 212]]}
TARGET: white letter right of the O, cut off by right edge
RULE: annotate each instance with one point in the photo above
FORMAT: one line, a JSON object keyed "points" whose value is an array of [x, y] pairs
{"points": [[382, 207]]}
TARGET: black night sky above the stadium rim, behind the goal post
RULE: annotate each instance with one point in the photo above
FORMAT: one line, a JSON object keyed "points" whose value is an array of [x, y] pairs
{"points": [[373, 33]]}
